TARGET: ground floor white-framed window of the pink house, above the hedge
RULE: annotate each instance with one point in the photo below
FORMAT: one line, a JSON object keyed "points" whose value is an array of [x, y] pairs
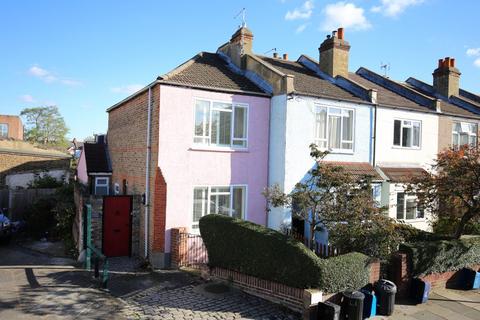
{"points": [[226, 200]]}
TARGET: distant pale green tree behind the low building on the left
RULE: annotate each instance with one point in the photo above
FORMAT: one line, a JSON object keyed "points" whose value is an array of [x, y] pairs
{"points": [[45, 126]]}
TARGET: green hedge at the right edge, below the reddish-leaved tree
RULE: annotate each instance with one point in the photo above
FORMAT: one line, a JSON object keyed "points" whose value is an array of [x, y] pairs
{"points": [[429, 257]]}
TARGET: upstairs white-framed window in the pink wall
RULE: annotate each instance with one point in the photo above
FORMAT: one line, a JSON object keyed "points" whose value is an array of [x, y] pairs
{"points": [[220, 124]]}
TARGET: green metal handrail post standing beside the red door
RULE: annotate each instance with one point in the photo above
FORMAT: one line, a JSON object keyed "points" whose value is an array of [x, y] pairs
{"points": [[97, 254]]}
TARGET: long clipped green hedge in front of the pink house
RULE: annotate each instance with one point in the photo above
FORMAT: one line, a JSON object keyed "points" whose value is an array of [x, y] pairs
{"points": [[267, 254]]}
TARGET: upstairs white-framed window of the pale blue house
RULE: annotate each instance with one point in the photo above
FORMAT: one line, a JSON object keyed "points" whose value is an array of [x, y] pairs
{"points": [[334, 128]]}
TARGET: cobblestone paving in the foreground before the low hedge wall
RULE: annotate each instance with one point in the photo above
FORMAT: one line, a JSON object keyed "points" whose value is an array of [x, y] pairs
{"points": [[191, 302]]}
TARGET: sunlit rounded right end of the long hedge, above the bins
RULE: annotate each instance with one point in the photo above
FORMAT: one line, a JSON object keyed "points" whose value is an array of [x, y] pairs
{"points": [[348, 271]]}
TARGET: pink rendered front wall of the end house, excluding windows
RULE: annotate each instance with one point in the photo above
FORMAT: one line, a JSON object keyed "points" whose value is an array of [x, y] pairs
{"points": [[183, 167]]}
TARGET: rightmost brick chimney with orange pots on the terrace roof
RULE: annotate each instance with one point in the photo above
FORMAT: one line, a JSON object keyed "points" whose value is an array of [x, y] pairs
{"points": [[446, 78]]}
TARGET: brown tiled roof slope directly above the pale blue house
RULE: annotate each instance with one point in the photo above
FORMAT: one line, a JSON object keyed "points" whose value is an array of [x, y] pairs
{"points": [[308, 82]]}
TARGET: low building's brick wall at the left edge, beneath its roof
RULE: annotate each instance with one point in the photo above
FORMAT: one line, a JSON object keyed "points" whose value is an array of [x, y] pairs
{"points": [[18, 162]]}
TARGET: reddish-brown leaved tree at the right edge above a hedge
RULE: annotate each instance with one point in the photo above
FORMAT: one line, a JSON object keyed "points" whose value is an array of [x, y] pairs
{"points": [[451, 191]]}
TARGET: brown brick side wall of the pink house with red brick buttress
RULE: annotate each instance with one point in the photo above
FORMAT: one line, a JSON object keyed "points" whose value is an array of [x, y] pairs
{"points": [[127, 145]]}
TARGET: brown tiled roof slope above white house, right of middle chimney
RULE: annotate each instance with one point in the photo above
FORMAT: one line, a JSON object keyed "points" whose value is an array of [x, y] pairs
{"points": [[386, 96]]}
